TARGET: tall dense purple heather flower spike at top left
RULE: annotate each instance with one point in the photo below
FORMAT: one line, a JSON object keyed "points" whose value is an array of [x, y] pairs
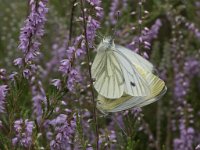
{"points": [[32, 30]]}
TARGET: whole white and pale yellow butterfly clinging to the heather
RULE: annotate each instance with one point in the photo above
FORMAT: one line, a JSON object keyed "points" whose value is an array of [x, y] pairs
{"points": [[123, 78]]}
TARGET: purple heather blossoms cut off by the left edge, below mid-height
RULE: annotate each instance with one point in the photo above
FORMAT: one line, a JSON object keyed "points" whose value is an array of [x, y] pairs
{"points": [[3, 92]]}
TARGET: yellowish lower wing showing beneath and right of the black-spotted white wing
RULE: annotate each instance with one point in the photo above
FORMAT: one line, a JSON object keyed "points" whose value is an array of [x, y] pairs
{"points": [[158, 89]]}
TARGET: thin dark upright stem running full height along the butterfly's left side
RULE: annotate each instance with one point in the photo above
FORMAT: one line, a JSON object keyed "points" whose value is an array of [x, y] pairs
{"points": [[90, 76]]}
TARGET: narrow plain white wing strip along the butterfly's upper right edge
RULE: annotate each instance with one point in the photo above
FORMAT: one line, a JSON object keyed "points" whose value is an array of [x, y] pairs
{"points": [[135, 58]]}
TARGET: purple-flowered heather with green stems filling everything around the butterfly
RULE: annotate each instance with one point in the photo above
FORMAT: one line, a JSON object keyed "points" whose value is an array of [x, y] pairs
{"points": [[47, 99]]}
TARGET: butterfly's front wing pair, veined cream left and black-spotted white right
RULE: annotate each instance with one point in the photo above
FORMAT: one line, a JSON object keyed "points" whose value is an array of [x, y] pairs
{"points": [[115, 74]]}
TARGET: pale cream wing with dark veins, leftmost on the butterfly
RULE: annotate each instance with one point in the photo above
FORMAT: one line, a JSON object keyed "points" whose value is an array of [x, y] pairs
{"points": [[106, 71]]}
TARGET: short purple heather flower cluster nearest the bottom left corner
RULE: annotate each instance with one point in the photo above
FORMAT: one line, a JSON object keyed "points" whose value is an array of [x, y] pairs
{"points": [[23, 131]]}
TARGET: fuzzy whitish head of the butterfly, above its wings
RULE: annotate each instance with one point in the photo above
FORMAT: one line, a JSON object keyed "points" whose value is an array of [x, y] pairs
{"points": [[106, 44]]}
